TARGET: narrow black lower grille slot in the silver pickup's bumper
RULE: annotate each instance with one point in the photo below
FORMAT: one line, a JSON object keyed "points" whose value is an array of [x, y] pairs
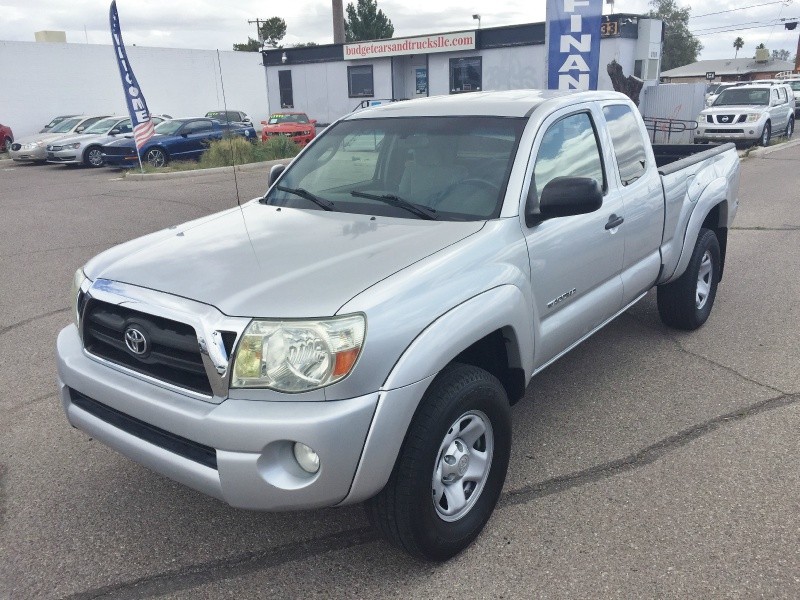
{"points": [[199, 453]]}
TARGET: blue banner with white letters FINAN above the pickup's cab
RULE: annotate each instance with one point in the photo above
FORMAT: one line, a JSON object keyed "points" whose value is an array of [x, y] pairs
{"points": [[573, 49]]}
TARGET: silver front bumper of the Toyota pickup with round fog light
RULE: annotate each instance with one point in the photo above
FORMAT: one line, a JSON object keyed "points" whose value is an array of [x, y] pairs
{"points": [[250, 440]]}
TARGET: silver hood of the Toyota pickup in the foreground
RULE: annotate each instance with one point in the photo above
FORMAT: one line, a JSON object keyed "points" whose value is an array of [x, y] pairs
{"points": [[265, 261]]}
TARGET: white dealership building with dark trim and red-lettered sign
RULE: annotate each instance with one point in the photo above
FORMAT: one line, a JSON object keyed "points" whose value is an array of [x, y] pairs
{"points": [[332, 80]]}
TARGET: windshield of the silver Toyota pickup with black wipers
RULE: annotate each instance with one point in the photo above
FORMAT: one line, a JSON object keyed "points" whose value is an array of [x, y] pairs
{"points": [[449, 168]]}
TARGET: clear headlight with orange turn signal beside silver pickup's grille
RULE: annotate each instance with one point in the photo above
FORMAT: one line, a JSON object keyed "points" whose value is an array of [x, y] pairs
{"points": [[297, 356]]}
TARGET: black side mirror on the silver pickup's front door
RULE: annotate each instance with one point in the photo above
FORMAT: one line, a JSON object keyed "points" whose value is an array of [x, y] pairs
{"points": [[564, 197]]}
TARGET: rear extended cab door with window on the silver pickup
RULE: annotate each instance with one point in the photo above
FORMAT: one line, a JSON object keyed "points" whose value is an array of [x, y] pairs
{"points": [[634, 174]]}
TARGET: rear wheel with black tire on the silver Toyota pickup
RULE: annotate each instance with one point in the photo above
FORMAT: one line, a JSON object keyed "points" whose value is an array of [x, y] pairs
{"points": [[686, 303]]}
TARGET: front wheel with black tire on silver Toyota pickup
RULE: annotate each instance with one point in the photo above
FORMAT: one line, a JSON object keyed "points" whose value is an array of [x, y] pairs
{"points": [[406, 511]]}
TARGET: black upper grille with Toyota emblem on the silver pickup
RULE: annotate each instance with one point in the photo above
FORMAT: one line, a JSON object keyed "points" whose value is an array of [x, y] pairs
{"points": [[161, 348]]}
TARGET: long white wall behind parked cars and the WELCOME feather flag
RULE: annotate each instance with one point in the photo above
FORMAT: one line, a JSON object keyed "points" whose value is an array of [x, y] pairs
{"points": [[40, 81]]}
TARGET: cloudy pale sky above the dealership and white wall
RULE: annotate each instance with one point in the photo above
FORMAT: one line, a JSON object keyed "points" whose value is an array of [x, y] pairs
{"points": [[218, 25]]}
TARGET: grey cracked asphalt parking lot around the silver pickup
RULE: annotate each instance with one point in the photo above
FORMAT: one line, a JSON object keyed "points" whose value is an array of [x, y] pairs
{"points": [[646, 463]]}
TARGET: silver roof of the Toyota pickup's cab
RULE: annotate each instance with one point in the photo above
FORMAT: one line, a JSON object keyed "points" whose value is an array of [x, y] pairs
{"points": [[510, 103]]}
